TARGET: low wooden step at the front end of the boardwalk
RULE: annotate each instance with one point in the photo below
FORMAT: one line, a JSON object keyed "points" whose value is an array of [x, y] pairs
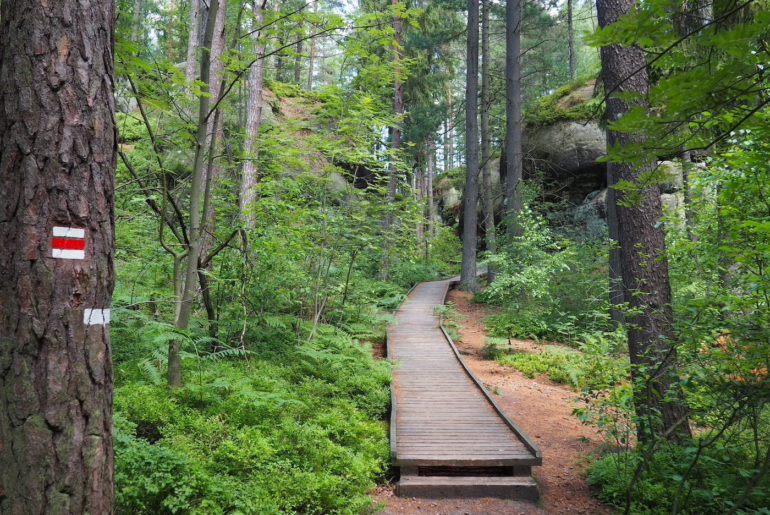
{"points": [[512, 487]]}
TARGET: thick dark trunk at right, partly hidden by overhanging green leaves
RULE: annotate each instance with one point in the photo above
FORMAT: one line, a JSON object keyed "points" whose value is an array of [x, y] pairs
{"points": [[659, 403]]}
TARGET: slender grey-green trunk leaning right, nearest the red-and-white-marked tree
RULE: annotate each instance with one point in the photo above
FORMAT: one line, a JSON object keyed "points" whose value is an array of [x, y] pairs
{"points": [[196, 204]]}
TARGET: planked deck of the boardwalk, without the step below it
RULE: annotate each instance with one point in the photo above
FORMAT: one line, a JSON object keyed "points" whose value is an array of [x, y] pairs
{"points": [[440, 416]]}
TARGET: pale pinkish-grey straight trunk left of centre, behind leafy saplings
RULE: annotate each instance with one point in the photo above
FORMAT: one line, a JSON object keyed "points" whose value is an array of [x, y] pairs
{"points": [[250, 176]]}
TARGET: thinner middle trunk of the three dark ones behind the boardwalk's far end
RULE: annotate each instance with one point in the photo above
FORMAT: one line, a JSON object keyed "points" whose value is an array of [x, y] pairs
{"points": [[486, 153]]}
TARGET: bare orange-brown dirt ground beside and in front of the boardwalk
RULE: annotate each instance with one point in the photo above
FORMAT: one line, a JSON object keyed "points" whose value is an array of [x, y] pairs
{"points": [[543, 409]]}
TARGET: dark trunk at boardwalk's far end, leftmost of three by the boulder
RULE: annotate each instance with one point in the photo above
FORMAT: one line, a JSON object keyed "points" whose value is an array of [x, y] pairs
{"points": [[470, 213]]}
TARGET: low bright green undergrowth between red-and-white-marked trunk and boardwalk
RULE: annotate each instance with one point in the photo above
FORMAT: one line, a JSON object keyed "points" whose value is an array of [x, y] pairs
{"points": [[292, 429]]}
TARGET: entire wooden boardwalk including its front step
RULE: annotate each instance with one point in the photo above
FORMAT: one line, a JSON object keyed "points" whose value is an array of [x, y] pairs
{"points": [[448, 437]]}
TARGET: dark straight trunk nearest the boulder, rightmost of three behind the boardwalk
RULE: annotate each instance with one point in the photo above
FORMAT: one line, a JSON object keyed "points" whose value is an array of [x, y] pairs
{"points": [[513, 154]]}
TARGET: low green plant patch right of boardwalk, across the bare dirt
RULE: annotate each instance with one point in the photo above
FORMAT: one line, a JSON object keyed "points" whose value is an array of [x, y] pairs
{"points": [[594, 365]]}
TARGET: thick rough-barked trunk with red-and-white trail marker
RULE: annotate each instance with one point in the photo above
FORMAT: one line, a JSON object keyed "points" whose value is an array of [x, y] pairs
{"points": [[57, 161]]}
